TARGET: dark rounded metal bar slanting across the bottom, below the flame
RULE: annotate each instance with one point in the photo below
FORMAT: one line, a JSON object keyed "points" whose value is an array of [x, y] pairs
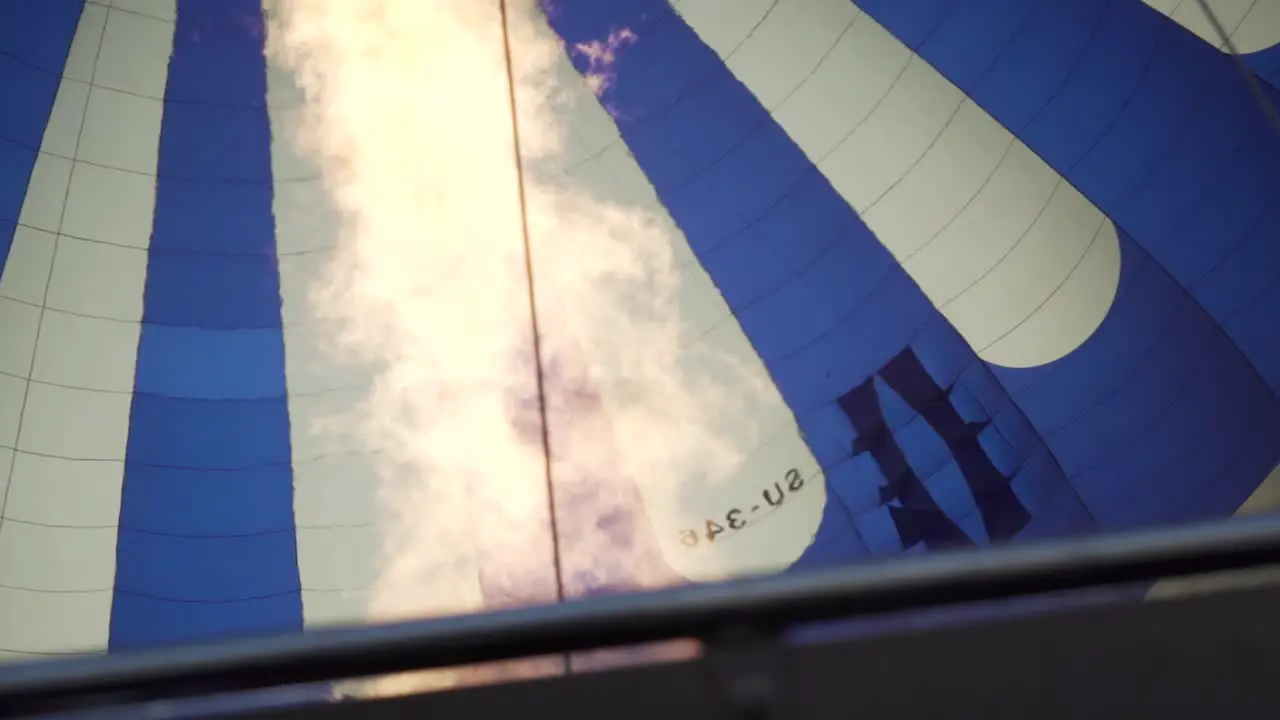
{"points": [[921, 582]]}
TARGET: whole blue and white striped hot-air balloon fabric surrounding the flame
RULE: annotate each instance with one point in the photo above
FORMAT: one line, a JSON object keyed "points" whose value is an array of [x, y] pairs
{"points": [[1009, 265]]}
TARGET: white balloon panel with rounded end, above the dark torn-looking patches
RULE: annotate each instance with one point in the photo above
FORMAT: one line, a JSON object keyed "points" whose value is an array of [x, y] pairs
{"points": [[1022, 265]]}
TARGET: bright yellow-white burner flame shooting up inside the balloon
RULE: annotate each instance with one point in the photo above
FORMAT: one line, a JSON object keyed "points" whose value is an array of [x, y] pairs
{"points": [[408, 115]]}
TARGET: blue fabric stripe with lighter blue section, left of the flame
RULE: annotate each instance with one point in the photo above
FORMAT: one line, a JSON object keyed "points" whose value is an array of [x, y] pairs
{"points": [[208, 545]]}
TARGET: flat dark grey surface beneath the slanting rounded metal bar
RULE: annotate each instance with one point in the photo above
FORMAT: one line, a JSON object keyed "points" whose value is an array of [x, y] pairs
{"points": [[1219, 660]]}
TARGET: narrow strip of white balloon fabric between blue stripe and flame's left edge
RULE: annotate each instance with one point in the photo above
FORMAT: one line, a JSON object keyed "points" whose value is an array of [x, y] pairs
{"points": [[341, 543]]}
